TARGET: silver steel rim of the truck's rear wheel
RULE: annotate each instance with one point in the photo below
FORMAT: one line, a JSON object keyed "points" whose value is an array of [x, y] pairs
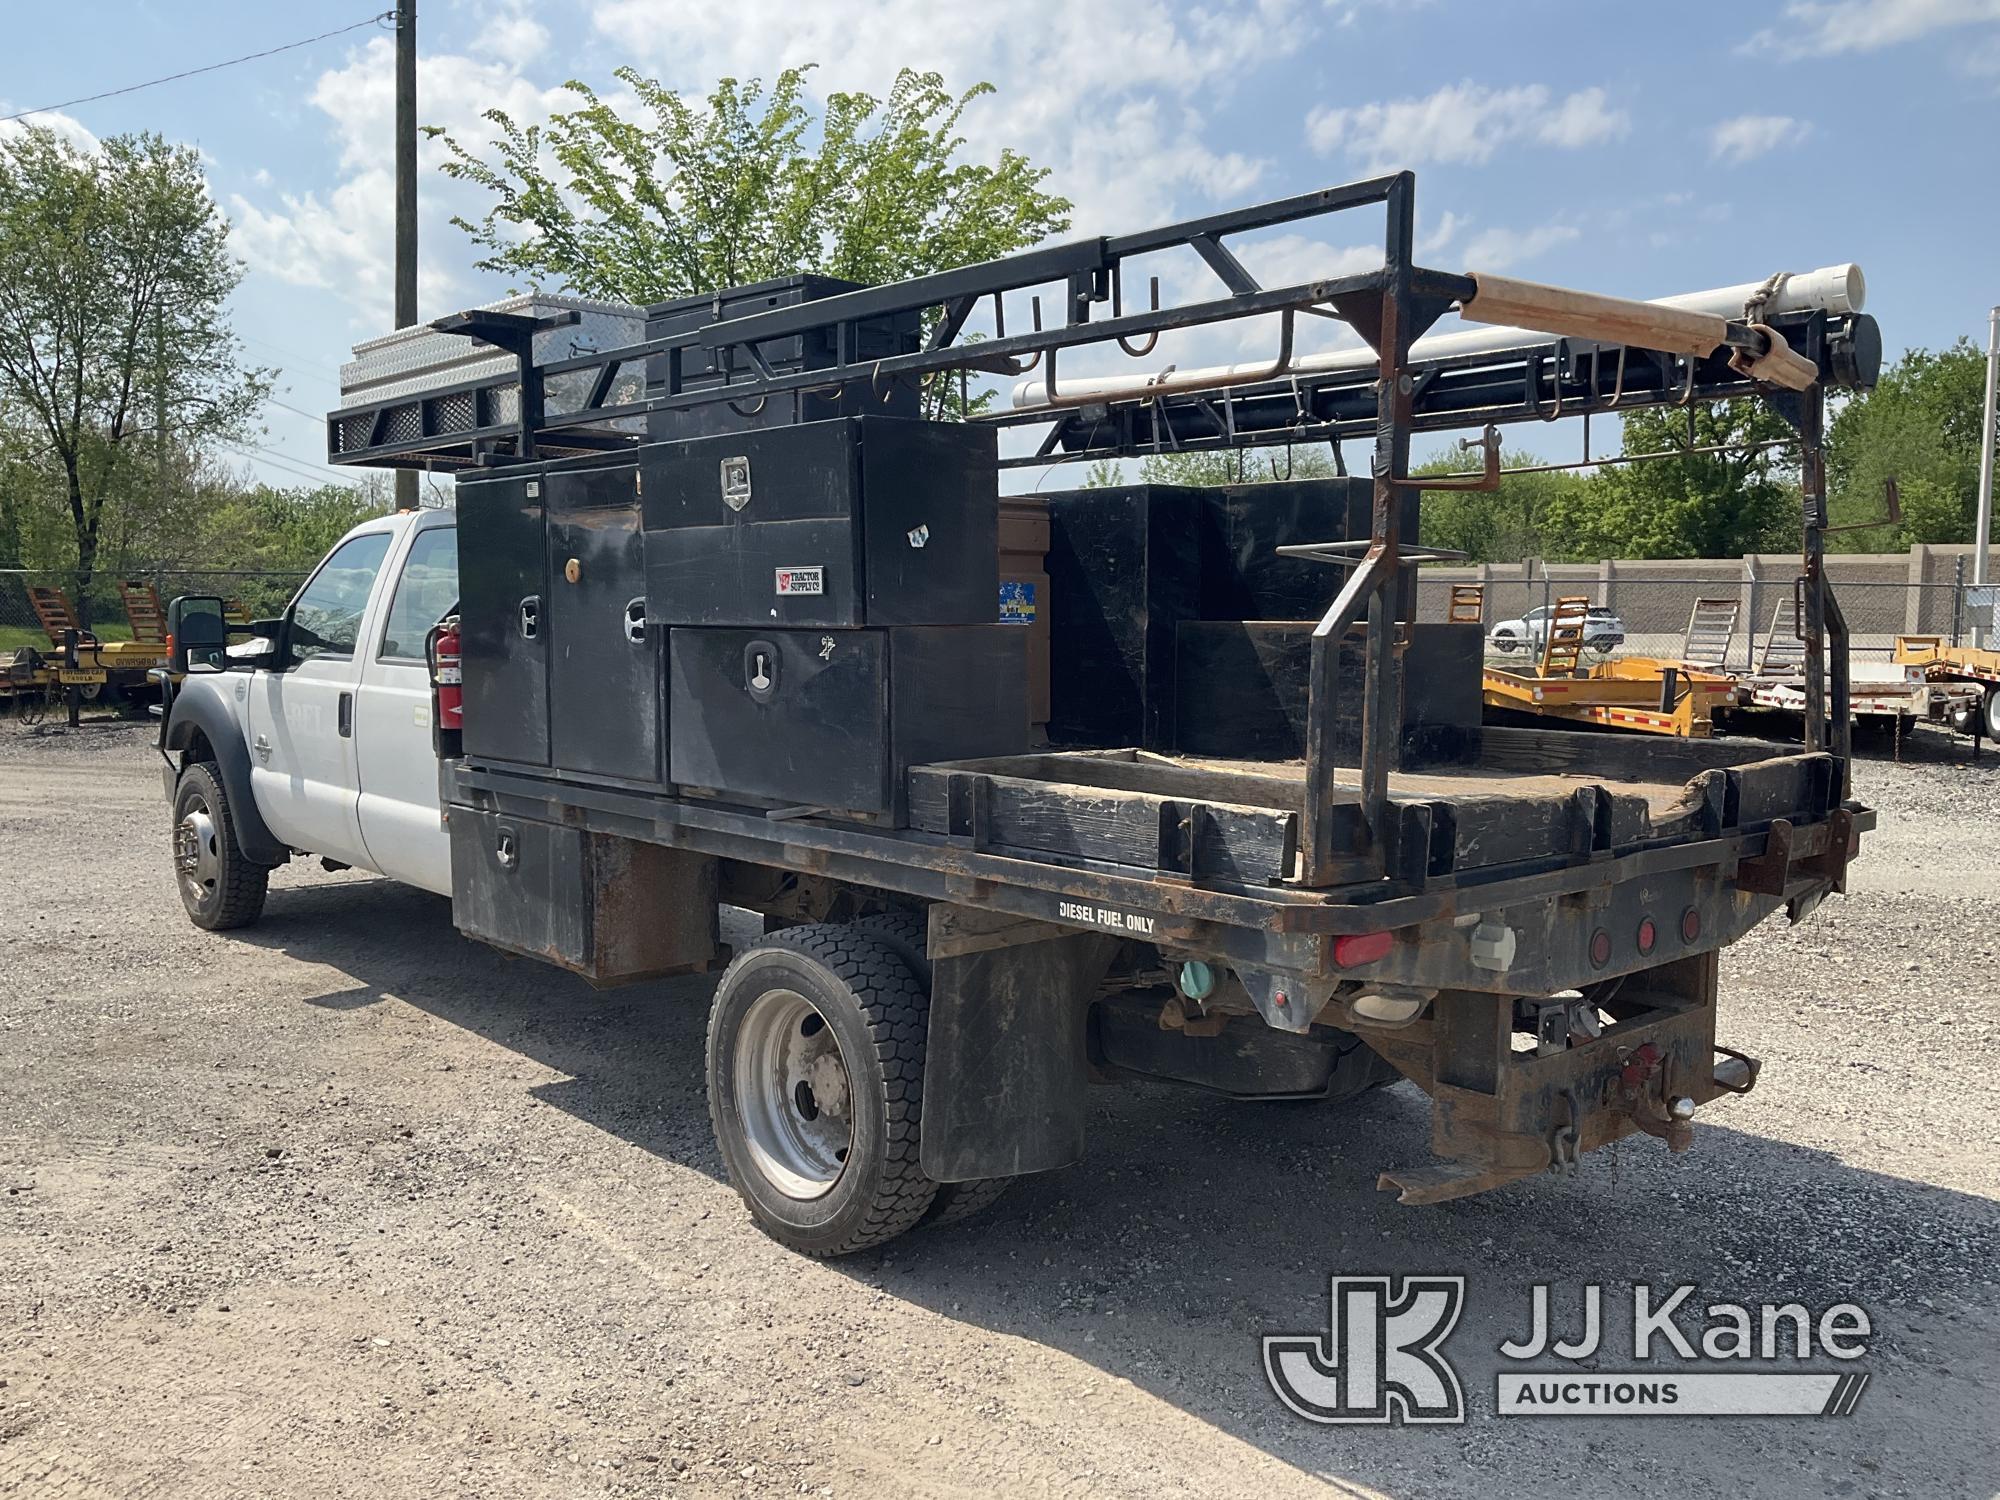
{"points": [[795, 1095]]}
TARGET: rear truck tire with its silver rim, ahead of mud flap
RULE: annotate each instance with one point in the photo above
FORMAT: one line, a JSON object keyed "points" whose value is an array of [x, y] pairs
{"points": [[817, 1089]]}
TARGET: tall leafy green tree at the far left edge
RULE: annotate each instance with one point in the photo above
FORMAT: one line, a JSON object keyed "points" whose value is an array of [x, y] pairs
{"points": [[113, 285]]}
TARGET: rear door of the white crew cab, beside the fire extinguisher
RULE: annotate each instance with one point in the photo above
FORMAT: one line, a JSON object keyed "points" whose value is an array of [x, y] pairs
{"points": [[393, 743]]}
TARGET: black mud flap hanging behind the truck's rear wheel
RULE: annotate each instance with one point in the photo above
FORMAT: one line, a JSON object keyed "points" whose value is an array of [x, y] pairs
{"points": [[1009, 1061]]}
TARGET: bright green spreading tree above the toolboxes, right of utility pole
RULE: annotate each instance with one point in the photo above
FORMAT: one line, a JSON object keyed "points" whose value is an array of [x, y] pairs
{"points": [[741, 189]]}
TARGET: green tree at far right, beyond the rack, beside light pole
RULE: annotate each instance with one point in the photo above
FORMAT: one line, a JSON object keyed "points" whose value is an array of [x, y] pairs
{"points": [[1921, 427]]}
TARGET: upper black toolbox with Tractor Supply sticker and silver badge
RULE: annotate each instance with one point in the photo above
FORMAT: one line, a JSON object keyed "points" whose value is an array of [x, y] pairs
{"points": [[863, 521]]}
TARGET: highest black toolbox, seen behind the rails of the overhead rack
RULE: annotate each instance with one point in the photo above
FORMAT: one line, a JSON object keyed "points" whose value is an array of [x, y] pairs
{"points": [[875, 339]]}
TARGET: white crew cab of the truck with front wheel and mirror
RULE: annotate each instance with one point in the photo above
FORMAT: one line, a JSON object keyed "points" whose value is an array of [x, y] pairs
{"points": [[317, 737]]}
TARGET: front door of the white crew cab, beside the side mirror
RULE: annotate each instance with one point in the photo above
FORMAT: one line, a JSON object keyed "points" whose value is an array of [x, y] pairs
{"points": [[303, 713]]}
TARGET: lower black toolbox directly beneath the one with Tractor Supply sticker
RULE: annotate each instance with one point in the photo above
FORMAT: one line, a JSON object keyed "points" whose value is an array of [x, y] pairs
{"points": [[835, 719]]}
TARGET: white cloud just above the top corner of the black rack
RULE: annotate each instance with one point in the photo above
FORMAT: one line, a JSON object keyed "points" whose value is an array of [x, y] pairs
{"points": [[1465, 123]]}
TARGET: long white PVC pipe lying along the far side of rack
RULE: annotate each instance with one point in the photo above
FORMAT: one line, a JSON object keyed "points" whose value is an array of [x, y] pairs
{"points": [[1831, 289]]}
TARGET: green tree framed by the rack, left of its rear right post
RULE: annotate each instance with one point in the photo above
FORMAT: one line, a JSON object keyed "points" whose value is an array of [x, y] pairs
{"points": [[1709, 505]]}
